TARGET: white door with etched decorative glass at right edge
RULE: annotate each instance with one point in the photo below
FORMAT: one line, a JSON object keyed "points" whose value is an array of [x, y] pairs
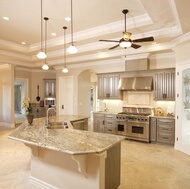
{"points": [[182, 129]]}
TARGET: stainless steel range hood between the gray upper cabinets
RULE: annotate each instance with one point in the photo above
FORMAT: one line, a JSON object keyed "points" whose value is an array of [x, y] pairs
{"points": [[136, 83]]}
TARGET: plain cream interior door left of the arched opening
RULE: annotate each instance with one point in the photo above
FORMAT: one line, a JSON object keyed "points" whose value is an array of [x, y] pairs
{"points": [[65, 104]]}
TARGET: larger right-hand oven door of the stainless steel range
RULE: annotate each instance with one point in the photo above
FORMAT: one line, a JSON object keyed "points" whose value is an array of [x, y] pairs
{"points": [[138, 130]]}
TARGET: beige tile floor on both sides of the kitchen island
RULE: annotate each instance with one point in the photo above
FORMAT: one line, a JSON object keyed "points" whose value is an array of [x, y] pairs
{"points": [[143, 166]]}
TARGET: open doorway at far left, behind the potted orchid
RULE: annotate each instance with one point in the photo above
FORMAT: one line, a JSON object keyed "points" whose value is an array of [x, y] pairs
{"points": [[20, 91]]}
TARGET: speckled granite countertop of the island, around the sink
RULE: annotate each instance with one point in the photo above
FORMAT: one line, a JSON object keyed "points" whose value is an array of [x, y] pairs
{"points": [[68, 140]]}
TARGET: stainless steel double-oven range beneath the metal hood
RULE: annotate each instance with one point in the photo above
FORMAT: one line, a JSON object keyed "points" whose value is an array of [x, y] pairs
{"points": [[133, 122]]}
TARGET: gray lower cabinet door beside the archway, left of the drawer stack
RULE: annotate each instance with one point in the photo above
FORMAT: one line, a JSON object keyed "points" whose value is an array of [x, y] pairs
{"points": [[98, 122]]}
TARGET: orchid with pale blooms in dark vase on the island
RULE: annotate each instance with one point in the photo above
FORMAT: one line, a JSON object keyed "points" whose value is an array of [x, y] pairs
{"points": [[26, 104]]}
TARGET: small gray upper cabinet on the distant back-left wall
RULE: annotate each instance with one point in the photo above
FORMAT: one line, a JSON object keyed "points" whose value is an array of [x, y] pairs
{"points": [[50, 88]]}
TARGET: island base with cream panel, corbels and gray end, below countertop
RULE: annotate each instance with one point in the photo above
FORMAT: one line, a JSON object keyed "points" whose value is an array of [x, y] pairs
{"points": [[57, 170]]}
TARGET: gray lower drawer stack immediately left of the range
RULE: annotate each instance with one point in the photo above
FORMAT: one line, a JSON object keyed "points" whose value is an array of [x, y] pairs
{"points": [[109, 123]]}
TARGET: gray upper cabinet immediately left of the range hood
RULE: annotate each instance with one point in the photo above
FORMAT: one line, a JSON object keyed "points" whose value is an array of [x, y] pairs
{"points": [[108, 86]]}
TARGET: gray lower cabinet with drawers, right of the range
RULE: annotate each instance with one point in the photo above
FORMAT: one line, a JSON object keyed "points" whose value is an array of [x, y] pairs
{"points": [[162, 130]]}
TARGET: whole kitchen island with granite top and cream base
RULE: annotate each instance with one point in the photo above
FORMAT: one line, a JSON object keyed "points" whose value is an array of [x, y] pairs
{"points": [[69, 158]]}
